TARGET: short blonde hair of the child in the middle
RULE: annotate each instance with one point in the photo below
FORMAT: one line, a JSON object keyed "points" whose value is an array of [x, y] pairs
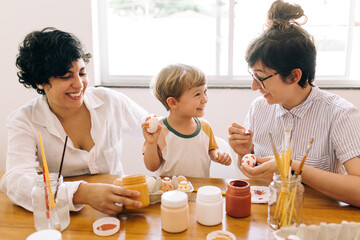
{"points": [[174, 79]]}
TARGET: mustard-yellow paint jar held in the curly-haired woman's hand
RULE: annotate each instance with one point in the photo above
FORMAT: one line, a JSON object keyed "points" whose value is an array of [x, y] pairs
{"points": [[138, 183]]}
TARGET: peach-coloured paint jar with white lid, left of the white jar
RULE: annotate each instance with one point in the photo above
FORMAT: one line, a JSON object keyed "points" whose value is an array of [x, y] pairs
{"points": [[174, 211]]}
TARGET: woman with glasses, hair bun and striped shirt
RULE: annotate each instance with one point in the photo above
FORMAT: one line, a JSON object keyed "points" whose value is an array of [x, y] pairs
{"points": [[282, 64]]}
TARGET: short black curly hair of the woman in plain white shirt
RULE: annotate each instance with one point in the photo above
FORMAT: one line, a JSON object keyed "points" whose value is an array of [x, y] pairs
{"points": [[47, 53]]}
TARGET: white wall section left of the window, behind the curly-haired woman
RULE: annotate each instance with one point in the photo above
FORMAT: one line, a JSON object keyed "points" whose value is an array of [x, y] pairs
{"points": [[19, 17]]}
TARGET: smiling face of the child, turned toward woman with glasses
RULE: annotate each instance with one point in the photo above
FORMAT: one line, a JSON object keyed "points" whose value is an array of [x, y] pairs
{"points": [[193, 101]]}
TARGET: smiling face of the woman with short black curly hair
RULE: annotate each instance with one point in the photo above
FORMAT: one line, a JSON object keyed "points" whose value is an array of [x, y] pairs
{"points": [[67, 92]]}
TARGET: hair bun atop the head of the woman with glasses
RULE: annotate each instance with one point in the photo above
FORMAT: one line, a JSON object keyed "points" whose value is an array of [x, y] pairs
{"points": [[283, 14]]}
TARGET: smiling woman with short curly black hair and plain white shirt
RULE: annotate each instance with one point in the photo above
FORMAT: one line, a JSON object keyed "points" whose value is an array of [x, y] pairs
{"points": [[54, 63]]}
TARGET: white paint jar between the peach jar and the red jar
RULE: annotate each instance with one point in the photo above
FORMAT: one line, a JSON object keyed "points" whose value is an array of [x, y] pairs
{"points": [[209, 206]]}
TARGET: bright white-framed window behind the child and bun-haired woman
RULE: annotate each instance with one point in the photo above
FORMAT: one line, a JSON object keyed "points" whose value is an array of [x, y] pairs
{"points": [[139, 37]]}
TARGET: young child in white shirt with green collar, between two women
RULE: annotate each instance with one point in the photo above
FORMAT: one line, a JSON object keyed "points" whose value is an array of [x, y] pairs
{"points": [[183, 144]]}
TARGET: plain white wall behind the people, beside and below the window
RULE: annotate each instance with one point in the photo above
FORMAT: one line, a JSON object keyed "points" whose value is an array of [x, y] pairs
{"points": [[19, 17]]}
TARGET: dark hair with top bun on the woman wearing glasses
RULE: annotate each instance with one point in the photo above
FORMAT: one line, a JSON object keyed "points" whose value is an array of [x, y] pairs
{"points": [[285, 45]]}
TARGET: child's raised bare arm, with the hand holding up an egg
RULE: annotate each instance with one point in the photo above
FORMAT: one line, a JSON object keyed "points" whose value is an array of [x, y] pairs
{"points": [[152, 155]]}
